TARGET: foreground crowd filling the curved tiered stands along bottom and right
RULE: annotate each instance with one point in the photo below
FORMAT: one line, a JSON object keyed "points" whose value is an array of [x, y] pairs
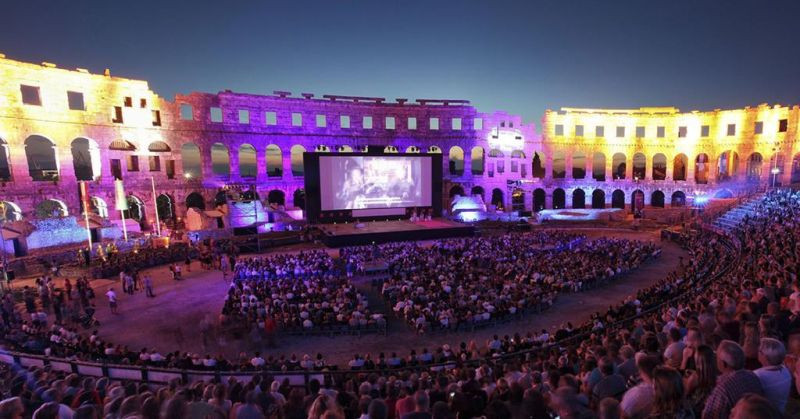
{"points": [[717, 338]]}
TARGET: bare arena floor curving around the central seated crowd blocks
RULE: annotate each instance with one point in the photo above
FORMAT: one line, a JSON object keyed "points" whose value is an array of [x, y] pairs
{"points": [[180, 307]]}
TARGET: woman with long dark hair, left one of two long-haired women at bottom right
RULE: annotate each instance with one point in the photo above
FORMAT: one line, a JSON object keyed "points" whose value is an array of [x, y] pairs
{"points": [[670, 398]]}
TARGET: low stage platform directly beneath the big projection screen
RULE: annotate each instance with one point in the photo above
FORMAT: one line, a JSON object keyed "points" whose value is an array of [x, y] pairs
{"points": [[353, 234]]}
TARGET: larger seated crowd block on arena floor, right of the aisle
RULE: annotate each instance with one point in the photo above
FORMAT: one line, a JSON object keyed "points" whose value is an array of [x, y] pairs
{"points": [[462, 283]]}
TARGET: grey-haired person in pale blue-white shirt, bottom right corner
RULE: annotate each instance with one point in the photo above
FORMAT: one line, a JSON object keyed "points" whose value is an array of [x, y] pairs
{"points": [[775, 378]]}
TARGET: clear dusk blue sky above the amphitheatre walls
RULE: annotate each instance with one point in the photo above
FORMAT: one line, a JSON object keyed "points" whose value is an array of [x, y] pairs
{"points": [[518, 56]]}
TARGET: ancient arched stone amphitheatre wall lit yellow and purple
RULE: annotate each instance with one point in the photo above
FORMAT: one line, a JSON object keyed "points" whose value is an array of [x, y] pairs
{"points": [[58, 127]]}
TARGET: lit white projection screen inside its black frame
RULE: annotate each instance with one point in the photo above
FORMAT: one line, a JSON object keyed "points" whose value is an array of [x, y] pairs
{"points": [[374, 182]]}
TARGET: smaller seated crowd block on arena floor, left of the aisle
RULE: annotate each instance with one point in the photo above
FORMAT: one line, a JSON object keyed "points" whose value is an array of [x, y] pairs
{"points": [[296, 292]]}
